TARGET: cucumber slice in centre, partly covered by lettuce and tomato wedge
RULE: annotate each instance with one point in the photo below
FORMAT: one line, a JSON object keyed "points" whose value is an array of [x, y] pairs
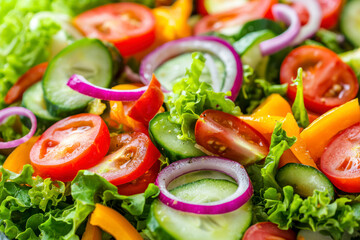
{"points": [[163, 134]]}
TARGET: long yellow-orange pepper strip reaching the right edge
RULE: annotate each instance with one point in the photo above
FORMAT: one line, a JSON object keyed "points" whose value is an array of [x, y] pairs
{"points": [[319, 133]]}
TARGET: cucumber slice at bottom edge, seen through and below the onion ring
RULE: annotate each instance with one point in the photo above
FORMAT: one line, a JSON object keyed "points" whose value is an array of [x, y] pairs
{"points": [[167, 223]]}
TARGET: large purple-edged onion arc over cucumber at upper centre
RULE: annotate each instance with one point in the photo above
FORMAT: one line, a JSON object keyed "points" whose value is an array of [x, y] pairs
{"points": [[212, 45]]}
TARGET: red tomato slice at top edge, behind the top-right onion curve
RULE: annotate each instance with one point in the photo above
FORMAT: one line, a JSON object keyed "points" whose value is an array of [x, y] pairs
{"points": [[330, 9]]}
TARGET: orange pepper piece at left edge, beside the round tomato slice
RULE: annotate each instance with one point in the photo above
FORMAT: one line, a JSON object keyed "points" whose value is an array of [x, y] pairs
{"points": [[20, 156]]}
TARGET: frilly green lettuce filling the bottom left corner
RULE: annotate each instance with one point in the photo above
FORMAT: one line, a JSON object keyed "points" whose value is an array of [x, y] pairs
{"points": [[44, 209]]}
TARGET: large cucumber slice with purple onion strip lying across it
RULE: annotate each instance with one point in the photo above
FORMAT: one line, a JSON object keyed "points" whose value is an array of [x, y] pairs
{"points": [[87, 57]]}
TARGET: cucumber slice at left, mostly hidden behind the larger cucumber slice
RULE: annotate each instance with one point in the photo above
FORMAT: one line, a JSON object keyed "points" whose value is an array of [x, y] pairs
{"points": [[33, 99]]}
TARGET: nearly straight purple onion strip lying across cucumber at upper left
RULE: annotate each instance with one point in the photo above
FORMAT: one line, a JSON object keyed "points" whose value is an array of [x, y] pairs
{"points": [[81, 85]]}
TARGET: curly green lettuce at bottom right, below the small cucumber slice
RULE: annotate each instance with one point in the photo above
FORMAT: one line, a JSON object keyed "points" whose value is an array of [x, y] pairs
{"points": [[315, 213]]}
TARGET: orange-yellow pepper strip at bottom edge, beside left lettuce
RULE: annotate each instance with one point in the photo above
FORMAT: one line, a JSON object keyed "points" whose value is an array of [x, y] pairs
{"points": [[114, 223]]}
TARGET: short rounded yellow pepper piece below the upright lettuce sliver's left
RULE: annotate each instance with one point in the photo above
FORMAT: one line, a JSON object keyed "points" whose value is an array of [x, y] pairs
{"points": [[274, 105]]}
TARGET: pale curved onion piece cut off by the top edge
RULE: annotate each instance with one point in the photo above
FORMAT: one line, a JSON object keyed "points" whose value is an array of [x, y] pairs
{"points": [[313, 24]]}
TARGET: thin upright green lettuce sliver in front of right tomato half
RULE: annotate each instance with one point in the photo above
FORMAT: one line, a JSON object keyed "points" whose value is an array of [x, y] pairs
{"points": [[298, 107]]}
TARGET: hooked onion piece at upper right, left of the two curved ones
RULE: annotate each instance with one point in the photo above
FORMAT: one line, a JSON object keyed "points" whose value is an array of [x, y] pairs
{"points": [[288, 15]]}
